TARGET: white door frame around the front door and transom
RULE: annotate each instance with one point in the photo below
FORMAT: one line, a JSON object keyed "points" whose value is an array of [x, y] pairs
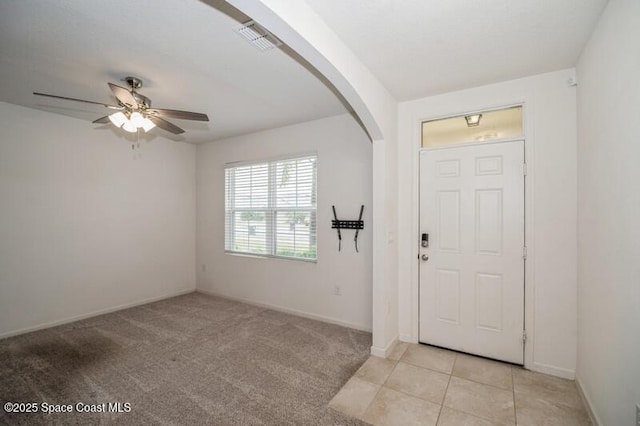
{"points": [[529, 278]]}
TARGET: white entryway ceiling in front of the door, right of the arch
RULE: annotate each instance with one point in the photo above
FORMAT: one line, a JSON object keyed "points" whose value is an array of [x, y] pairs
{"points": [[419, 48]]}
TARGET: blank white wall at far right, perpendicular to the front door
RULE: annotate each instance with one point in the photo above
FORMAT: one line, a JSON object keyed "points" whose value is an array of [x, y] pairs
{"points": [[609, 215]]}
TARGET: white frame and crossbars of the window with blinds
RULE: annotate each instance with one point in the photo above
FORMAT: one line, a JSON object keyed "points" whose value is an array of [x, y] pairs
{"points": [[271, 210]]}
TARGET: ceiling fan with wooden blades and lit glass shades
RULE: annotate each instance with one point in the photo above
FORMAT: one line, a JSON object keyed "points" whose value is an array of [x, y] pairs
{"points": [[134, 110]]}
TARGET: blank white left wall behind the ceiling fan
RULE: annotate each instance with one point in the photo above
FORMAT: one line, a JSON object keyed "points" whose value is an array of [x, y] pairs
{"points": [[85, 227]]}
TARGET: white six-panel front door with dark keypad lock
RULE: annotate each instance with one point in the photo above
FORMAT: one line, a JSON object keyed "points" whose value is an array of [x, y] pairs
{"points": [[472, 284]]}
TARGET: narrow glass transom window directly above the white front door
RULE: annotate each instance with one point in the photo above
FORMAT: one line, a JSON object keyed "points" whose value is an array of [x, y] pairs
{"points": [[482, 126]]}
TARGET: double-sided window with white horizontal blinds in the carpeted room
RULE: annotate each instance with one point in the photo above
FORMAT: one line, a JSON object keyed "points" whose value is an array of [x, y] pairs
{"points": [[270, 208]]}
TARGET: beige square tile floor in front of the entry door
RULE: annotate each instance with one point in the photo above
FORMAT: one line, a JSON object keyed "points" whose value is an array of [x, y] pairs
{"points": [[425, 385]]}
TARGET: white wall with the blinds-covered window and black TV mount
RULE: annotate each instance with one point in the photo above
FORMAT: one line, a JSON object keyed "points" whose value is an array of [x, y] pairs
{"points": [[344, 180]]}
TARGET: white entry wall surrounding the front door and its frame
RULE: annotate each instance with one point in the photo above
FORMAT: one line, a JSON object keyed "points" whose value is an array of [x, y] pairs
{"points": [[550, 127]]}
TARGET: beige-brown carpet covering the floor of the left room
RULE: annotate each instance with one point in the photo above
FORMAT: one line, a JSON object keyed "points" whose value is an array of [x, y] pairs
{"points": [[193, 359]]}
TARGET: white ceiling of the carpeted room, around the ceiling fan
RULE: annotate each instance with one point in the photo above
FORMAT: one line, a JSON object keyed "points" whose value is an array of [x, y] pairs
{"points": [[186, 52]]}
